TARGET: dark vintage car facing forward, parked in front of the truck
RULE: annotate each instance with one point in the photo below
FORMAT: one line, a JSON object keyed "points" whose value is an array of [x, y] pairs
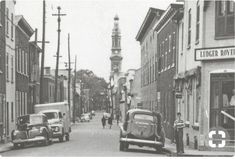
{"points": [[31, 128]]}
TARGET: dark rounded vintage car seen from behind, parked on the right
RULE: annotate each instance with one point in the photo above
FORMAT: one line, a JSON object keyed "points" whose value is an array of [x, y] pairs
{"points": [[142, 128]]}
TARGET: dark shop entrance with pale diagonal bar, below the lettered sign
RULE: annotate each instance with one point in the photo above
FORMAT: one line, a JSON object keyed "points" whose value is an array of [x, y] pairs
{"points": [[222, 101]]}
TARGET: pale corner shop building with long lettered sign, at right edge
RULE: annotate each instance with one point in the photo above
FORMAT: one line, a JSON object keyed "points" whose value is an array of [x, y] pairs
{"points": [[205, 78]]}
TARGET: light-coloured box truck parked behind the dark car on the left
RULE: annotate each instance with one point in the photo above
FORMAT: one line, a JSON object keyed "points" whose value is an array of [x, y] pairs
{"points": [[58, 116]]}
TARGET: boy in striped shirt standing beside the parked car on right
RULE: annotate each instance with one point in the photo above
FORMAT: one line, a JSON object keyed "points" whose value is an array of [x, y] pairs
{"points": [[178, 129]]}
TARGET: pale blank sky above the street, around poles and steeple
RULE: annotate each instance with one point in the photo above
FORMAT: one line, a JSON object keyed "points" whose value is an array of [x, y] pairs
{"points": [[90, 24]]}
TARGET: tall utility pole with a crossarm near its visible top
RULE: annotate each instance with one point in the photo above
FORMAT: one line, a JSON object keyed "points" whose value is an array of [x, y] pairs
{"points": [[58, 50]]}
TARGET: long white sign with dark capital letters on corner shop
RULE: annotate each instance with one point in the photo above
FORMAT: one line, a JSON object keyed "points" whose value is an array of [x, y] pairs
{"points": [[215, 53]]}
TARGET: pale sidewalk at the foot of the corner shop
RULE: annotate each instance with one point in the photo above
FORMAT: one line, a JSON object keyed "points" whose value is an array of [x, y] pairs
{"points": [[171, 148]]}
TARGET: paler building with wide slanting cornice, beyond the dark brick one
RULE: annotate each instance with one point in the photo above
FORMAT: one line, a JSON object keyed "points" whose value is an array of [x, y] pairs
{"points": [[148, 41]]}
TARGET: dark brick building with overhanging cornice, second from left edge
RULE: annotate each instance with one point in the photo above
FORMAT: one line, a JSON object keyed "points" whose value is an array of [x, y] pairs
{"points": [[23, 32]]}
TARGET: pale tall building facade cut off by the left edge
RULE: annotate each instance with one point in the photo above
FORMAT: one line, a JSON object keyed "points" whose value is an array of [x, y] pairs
{"points": [[7, 105]]}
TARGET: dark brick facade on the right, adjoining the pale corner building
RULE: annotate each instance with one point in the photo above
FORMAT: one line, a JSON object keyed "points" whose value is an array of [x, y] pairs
{"points": [[166, 73]]}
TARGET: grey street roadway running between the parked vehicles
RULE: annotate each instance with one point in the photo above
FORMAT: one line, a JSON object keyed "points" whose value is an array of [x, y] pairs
{"points": [[87, 139]]}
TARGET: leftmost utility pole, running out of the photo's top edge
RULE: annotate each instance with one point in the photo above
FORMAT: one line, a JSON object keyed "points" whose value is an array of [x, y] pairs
{"points": [[43, 51]]}
